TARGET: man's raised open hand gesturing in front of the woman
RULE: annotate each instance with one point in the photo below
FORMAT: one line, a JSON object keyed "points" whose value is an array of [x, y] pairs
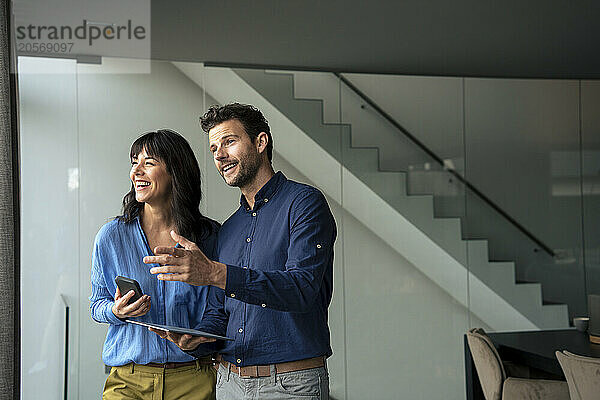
{"points": [[187, 264]]}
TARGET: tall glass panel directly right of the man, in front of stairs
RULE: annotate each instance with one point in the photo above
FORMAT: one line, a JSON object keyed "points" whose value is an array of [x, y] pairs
{"points": [[406, 269]]}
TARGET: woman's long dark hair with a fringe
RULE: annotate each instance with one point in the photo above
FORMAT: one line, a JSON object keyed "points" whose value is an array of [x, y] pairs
{"points": [[175, 152]]}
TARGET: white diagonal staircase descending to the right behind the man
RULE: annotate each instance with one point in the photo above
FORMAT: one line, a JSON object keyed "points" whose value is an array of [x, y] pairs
{"points": [[380, 201]]}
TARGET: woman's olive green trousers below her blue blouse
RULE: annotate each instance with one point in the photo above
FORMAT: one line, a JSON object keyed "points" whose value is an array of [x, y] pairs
{"points": [[141, 382]]}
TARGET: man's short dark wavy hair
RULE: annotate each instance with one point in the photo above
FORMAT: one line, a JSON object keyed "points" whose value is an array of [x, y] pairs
{"points": [[253, 121]]}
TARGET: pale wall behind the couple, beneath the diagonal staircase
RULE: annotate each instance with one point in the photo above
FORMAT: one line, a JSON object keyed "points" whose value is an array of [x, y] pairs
{"points": [[384, 311]]}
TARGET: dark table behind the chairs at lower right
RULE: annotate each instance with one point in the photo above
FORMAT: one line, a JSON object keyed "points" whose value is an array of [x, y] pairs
{"points": [[534, 349]]}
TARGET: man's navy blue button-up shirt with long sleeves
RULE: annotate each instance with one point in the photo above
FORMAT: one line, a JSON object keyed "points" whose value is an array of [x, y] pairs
{"points": [[279, 258]]}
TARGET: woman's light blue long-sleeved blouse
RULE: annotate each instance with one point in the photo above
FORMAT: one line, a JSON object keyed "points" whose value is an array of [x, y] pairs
{"points": [[119, 249]]}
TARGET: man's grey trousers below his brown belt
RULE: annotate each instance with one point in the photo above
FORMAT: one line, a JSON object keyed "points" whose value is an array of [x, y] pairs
{"points": [[309, 384]]}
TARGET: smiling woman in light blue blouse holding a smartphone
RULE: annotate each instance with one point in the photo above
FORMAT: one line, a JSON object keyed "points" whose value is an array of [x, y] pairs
{"points": [[165, 195]]}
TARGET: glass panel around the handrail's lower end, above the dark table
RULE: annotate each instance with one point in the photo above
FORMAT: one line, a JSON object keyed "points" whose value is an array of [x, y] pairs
{"points": [[522, 146]]}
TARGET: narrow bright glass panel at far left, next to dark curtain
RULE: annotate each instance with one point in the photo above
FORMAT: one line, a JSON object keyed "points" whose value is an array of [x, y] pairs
{"points": [[49, 225]]}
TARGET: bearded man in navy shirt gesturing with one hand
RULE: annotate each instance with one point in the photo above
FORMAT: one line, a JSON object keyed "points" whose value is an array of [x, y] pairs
{"points": [[275, 267]]}
